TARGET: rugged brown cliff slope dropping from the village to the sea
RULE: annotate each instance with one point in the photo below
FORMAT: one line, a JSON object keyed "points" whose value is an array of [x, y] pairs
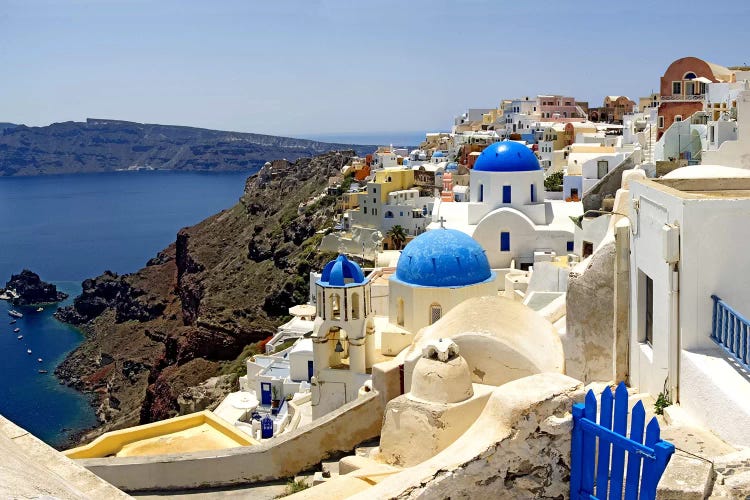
{"points": [[225, 283]]}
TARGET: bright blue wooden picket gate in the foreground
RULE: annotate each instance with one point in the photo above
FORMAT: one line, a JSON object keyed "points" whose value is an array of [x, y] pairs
{"points": [[601, 474]]}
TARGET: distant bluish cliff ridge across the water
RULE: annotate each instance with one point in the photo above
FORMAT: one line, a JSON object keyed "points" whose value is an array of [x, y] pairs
{"points": [[100, 145]]}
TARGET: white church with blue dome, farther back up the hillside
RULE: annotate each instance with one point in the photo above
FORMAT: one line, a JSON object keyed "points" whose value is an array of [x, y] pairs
{"points": [[507, 213]]}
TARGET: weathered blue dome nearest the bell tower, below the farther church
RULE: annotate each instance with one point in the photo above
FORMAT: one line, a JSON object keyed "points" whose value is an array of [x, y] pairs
{"points": [[443, 258]]}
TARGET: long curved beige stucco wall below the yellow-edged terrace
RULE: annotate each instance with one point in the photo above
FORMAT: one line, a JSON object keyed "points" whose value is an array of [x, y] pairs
{"points": [[283, 456]]}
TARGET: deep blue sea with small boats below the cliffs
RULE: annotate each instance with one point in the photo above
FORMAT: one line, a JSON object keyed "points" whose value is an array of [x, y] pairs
{"points": [[67, 228]]}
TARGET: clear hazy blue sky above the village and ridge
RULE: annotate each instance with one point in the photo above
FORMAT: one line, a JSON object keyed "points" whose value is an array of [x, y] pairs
{"points": [[317, 67]]}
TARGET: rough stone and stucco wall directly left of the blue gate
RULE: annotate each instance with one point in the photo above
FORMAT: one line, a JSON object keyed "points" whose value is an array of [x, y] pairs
{"points": [[519, 447]]}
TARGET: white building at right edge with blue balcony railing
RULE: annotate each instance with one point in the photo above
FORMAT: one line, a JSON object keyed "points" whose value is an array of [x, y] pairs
{"points": [[689, 242]]}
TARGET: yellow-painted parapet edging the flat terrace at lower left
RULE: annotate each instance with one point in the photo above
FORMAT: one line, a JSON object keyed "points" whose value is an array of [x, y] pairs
{"points": [[111, 442]]}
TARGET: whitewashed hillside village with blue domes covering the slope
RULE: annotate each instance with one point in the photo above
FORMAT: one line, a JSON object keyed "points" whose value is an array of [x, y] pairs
{"points": [[485, 281]]}
